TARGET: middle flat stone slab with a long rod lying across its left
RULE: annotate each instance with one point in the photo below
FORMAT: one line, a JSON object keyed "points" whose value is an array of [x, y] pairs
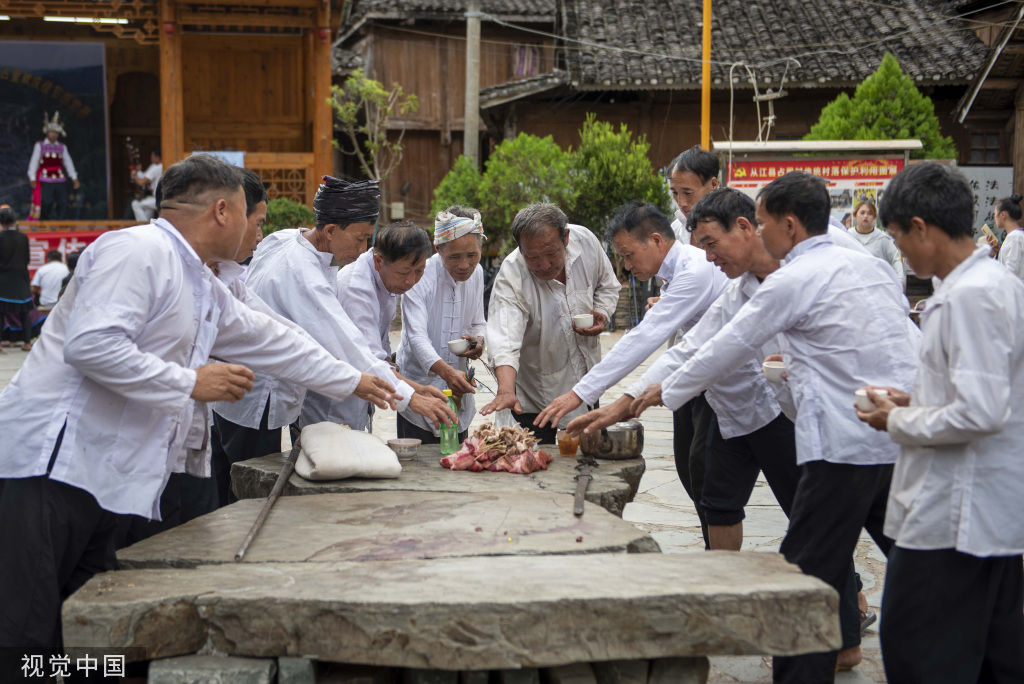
{"points": [[392, 526]]}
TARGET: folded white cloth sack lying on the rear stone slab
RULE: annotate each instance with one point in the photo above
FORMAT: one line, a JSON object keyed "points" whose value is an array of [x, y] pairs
{"points": [[332, 452]]}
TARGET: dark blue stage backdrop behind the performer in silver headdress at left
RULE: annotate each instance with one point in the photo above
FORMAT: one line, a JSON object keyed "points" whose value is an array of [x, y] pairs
{"points": [[70, 78]]}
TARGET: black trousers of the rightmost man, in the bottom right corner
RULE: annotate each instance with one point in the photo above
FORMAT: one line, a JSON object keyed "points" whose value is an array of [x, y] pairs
{"points": [[950, 618]]}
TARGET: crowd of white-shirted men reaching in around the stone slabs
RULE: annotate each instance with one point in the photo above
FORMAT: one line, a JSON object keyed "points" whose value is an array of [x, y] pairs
{"points": [[166, 361]]}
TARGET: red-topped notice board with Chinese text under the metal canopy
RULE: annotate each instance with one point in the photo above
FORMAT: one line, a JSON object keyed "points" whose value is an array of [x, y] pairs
{"points": [[850, 181]]}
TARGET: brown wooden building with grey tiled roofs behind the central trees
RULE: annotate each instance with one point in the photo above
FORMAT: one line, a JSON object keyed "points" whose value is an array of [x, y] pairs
{"points": [[637, 62]]}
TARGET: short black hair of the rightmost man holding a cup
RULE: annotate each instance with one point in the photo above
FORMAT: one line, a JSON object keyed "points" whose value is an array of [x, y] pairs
{"points": [[934, 193]]}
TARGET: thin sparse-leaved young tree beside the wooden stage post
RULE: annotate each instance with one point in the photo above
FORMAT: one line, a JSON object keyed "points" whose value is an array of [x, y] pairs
{"points": [[363, 109]]}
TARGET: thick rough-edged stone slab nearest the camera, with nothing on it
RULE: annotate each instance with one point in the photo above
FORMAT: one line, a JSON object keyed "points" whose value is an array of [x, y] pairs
{"points": [[464, 614]]}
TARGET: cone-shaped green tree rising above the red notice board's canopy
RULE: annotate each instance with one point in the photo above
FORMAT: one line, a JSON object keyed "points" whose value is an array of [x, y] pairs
{"points": [[886, 106]]}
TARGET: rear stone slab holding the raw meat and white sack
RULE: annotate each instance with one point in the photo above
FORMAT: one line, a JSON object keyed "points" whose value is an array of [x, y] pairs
{"points": [[614, 485]]}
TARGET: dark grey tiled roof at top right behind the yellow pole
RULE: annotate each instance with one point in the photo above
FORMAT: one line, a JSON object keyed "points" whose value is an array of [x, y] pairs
{"points": [[835, 41]]}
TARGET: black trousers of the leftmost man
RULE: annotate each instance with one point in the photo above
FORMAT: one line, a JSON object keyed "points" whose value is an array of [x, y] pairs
{"points": [[55, 538]]}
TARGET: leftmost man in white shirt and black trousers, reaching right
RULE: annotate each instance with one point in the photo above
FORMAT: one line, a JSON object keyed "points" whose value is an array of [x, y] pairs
{"points": [[97, 419]]}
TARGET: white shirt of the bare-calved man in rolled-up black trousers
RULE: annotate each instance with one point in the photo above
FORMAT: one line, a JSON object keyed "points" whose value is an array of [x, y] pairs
{"points": [[744, 402]]}
